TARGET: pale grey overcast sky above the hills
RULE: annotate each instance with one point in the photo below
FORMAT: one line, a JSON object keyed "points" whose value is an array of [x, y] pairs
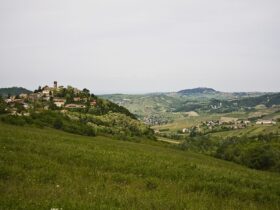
{"points": [[130, 46]]}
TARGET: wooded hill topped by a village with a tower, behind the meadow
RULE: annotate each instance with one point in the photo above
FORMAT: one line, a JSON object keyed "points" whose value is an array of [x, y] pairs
{"points": [[71, 110]]}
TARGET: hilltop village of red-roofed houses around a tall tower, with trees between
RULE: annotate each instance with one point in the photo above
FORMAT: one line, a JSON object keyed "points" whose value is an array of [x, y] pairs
{"points": [[55, 97]]}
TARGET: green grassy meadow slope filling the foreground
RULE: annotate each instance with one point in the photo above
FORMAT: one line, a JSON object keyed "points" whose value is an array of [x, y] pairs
{"points": [[46, 168]]}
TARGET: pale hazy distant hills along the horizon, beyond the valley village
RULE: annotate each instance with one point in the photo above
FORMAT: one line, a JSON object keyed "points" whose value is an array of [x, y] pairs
{"points": [[161, 108]]}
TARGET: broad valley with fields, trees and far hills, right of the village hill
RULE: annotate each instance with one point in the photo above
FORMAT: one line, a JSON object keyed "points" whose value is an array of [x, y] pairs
{"points": [[239, 127]]}
